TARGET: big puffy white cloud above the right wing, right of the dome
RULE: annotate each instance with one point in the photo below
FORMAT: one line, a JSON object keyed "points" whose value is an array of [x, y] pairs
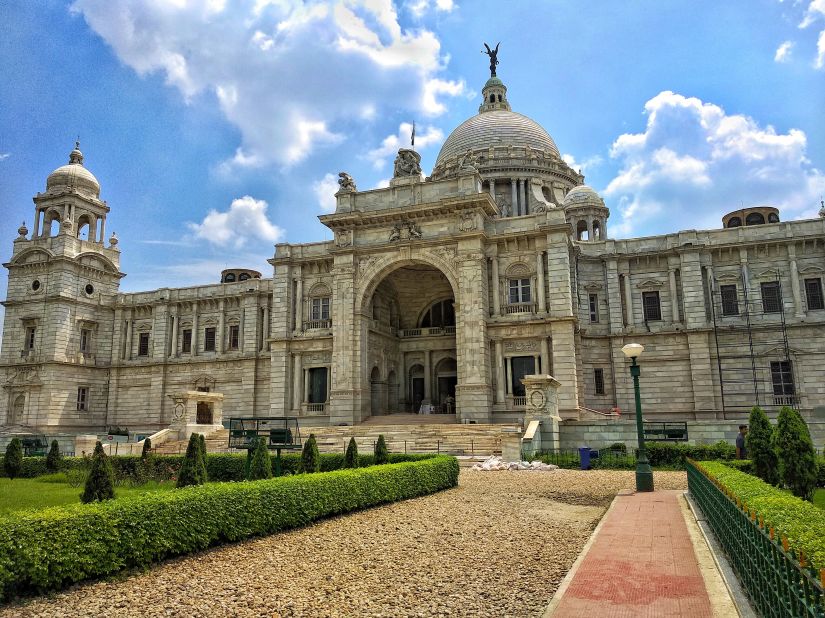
{"points": [[693, 163]]}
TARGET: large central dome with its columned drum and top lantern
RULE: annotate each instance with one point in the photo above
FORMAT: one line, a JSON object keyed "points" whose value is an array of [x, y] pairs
{"points": [[519, 162]]}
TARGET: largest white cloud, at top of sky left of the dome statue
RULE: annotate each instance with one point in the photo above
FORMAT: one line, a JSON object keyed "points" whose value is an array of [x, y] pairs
{"points": [[288, 74]]}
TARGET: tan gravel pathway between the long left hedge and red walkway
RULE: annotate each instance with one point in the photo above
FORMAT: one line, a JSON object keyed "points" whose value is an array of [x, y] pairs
{"points": [[498, 545]]}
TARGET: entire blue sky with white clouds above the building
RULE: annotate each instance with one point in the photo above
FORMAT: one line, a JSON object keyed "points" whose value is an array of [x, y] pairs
{"points": [[216, 128]]}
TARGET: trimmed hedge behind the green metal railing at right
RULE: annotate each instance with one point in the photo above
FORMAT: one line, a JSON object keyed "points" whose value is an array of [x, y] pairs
{"points": [[801, 522]]}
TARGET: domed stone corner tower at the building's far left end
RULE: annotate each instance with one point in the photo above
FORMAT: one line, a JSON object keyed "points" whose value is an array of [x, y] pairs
{"points": [[62, 291]]}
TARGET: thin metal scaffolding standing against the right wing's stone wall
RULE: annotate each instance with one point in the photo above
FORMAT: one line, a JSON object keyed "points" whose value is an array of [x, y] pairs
{"points": [[752, 353]]}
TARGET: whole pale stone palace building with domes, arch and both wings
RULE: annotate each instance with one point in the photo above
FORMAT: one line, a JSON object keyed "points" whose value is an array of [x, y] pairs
{"points": [[437, 294]]}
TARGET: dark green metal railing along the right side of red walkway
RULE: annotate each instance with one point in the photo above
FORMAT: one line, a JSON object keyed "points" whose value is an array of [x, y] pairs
{"points": [[776, 579]]}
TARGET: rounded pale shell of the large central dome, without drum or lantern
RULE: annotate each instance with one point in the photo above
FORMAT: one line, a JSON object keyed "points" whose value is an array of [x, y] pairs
{"points": [[496, 128]]}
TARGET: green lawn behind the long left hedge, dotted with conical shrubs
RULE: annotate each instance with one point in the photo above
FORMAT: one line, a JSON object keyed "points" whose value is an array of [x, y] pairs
{"points": [[54, 490]]}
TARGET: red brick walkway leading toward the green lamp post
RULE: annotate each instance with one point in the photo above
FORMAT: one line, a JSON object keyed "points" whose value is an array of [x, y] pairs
{"points": [[641, 564]]}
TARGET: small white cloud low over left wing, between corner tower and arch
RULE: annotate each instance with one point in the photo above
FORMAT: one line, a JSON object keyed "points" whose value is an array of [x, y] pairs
{"points": [[244, 221]]}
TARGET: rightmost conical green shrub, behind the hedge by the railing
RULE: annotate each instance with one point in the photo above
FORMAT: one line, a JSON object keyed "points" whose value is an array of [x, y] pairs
{"points": [[795, 452]]}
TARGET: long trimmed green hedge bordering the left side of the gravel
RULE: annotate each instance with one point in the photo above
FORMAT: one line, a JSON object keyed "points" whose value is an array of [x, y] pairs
{"points": [[56, 547]]}
